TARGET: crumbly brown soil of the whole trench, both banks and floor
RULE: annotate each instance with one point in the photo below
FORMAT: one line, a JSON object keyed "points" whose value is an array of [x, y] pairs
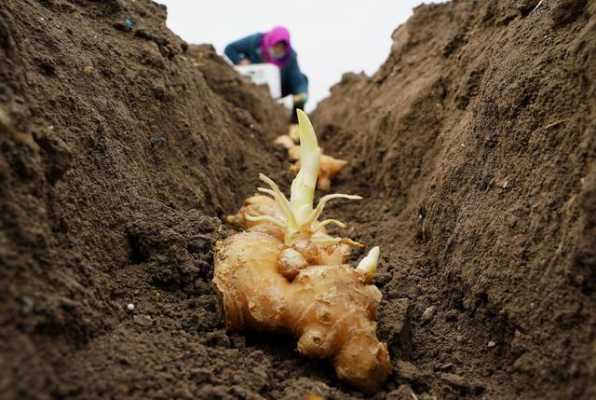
{"points": [[122, 148]]}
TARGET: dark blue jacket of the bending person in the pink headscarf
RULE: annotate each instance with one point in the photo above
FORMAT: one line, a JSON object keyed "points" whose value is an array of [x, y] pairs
{"points": [[293, 81]]}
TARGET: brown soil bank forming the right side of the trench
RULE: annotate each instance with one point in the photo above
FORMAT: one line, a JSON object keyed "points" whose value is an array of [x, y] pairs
{"points": [[477, 139]]}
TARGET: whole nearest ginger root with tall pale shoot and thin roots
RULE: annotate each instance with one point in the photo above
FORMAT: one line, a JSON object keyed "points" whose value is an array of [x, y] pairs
{"points": [[286, 274]]}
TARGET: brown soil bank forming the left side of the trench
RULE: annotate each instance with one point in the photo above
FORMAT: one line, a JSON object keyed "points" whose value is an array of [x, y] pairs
{"points": [[117, 156]]}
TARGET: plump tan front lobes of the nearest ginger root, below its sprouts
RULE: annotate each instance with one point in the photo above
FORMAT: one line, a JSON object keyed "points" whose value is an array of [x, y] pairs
{"points": [[330, 308]]}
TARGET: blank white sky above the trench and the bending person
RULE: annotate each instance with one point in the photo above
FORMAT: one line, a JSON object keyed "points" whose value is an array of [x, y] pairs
{"points": [[330, 36]]}
